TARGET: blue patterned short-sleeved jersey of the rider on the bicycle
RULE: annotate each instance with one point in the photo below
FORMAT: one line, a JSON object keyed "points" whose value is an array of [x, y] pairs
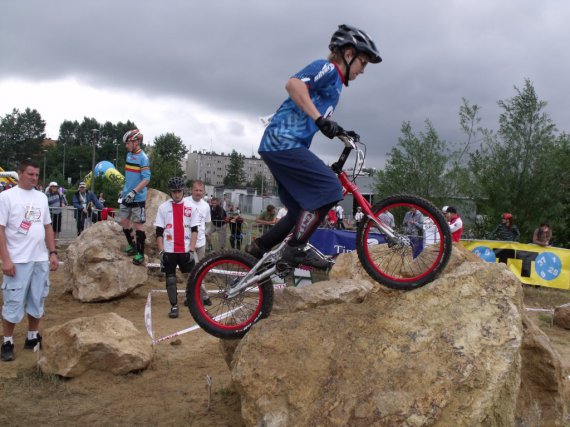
{"points": [[290, 127]]}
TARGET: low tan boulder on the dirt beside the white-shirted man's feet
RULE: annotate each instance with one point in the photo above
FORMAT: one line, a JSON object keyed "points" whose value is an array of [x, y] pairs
{"points": [[105, 342]]}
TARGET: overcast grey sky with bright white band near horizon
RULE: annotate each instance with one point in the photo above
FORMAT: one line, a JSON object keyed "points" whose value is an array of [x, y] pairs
{"points": [[207, 71]]}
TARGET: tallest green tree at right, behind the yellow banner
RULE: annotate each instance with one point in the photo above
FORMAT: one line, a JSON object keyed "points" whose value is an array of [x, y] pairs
{"points": [[514, 170]]}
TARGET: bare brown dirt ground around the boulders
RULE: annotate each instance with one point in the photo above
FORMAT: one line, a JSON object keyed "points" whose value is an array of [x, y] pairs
{"points": [[173, 391]]}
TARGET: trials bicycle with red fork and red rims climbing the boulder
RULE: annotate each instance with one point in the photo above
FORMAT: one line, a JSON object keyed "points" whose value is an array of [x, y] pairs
{"points": [[395, 255]]}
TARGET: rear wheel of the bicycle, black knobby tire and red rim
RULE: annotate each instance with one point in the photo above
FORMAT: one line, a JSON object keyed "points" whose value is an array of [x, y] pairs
{"points": [[227, 318]]}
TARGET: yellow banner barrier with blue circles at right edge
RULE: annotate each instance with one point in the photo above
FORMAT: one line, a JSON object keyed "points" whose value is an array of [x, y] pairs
{"points": [[533, 264]]}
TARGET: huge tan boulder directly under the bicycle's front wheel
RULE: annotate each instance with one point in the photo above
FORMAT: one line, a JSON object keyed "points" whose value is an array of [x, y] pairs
{"points": [[447, 353]]}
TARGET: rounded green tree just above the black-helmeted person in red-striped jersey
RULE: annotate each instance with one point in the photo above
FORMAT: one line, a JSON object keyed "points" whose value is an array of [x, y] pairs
{"points": [[166, 155]]}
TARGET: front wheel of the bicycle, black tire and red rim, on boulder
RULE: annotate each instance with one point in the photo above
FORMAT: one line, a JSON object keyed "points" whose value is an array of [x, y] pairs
{"points": [[401, 263]]}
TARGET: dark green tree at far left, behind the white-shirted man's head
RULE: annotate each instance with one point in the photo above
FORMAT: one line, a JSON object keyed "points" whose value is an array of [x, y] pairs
{"points": [[21, 136]]}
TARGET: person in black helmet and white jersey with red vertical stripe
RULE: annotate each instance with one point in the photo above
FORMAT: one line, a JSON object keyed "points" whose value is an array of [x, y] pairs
{"points": [[176, 235]]}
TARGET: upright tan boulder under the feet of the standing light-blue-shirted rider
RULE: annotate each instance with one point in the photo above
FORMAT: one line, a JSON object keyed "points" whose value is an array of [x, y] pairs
{"points": [[96, 267]]}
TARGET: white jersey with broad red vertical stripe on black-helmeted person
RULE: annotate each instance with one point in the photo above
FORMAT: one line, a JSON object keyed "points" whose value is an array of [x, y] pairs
{"points": [[177, 219]]}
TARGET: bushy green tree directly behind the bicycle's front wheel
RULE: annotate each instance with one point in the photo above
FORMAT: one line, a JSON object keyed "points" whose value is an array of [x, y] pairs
{"points": [[416, 165]]}
